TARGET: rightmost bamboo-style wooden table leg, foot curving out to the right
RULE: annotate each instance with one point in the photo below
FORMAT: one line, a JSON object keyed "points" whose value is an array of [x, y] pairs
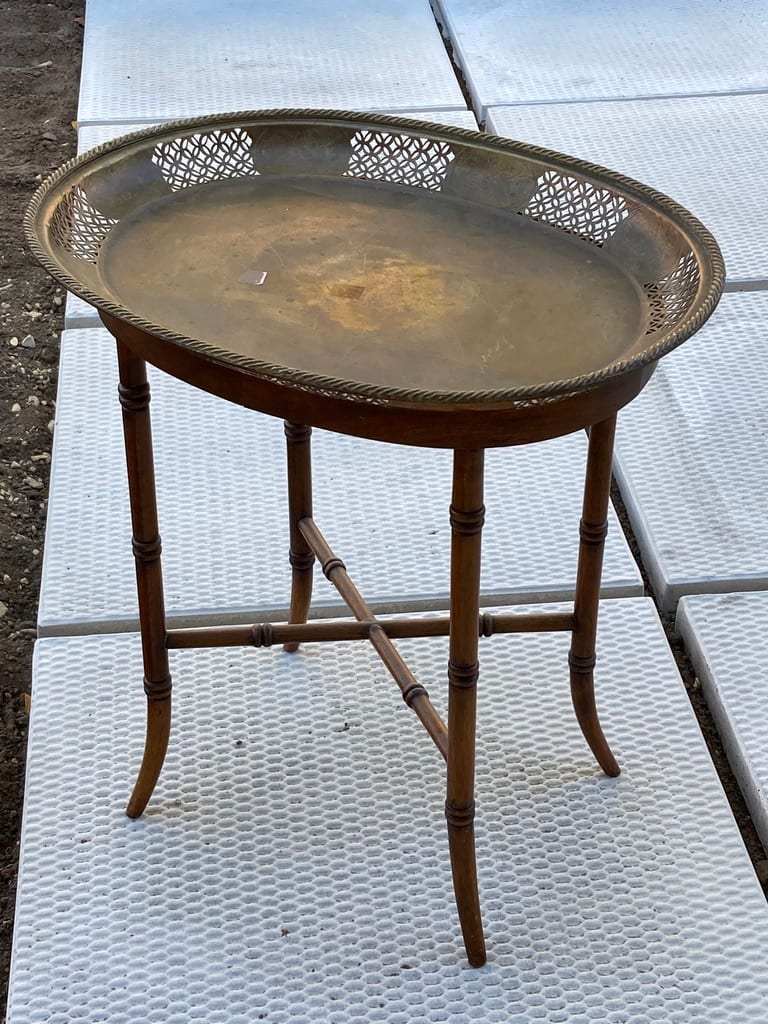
{"points": [[593, 530]]}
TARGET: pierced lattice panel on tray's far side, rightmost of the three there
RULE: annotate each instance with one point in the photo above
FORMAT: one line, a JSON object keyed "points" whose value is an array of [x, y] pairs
{"points": [[578, 207]]}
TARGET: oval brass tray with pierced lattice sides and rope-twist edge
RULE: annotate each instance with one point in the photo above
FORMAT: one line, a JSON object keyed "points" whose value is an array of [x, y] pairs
{"points": [[378, 258]]}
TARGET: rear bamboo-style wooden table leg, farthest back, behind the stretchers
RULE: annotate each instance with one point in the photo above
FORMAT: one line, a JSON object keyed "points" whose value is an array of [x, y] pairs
{"points": [[300, 505]]}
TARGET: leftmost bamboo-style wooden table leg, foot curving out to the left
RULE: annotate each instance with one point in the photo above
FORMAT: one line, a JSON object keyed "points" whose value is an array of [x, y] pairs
{"points": [[135, 398]]}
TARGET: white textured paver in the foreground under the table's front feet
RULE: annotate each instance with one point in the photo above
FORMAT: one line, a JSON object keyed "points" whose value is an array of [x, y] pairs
{"points": [[293, 866]]}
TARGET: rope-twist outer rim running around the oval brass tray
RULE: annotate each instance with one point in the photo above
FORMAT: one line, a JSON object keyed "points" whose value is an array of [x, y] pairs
{"points": [[703, 244]]}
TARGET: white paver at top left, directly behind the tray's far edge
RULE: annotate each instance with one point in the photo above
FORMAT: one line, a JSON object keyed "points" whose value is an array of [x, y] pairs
{"points": [[148, 61]]}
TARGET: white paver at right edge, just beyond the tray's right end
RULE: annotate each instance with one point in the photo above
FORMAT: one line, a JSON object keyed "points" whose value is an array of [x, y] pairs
{"points": [[691, 458]]}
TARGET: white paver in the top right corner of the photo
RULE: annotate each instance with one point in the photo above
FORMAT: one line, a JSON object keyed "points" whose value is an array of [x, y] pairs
{"points": [[557, 51]]}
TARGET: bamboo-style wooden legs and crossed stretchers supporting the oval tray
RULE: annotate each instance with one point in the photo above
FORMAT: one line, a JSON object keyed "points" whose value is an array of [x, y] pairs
{"points": [[464, 626]]}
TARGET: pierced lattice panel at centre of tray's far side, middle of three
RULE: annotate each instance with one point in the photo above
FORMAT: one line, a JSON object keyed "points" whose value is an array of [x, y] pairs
{"points": [[385, 157]]}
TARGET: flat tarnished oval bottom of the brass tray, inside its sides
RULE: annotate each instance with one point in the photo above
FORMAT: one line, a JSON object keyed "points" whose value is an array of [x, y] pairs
{"points": [[360, 280]]}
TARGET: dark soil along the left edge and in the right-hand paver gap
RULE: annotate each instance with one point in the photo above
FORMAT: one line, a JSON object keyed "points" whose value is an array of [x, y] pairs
{"points": [[40, 51]]}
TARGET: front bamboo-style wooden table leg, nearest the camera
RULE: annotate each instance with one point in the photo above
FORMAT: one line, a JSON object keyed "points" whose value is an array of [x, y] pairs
{"points": [[467, 516]]}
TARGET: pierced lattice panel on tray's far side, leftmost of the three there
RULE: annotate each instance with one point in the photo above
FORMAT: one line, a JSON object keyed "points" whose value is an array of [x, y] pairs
{"points": [[207, 157]]}
